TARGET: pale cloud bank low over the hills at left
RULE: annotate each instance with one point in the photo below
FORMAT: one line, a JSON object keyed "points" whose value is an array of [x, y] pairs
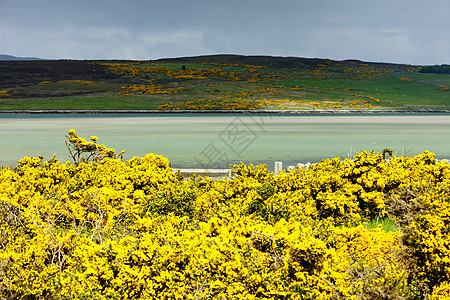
{"points": [[103, 42]]}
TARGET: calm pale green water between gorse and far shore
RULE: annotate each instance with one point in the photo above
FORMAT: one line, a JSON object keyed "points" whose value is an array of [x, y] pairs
{"points": [[190, 140]]}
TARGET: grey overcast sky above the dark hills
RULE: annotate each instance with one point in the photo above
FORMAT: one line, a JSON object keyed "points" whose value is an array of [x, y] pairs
{"points": [[399, 31]]}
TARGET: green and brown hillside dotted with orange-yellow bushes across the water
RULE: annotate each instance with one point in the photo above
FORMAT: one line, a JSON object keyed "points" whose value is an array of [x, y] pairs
{"points": [[220, 82]]}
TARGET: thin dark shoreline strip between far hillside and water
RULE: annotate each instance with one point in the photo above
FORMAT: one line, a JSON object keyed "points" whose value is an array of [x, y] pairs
{"points": [[281, 112]]}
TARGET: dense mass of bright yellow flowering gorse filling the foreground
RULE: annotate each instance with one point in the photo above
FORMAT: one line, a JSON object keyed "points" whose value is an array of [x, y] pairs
{"points": [[105, 228]]}
